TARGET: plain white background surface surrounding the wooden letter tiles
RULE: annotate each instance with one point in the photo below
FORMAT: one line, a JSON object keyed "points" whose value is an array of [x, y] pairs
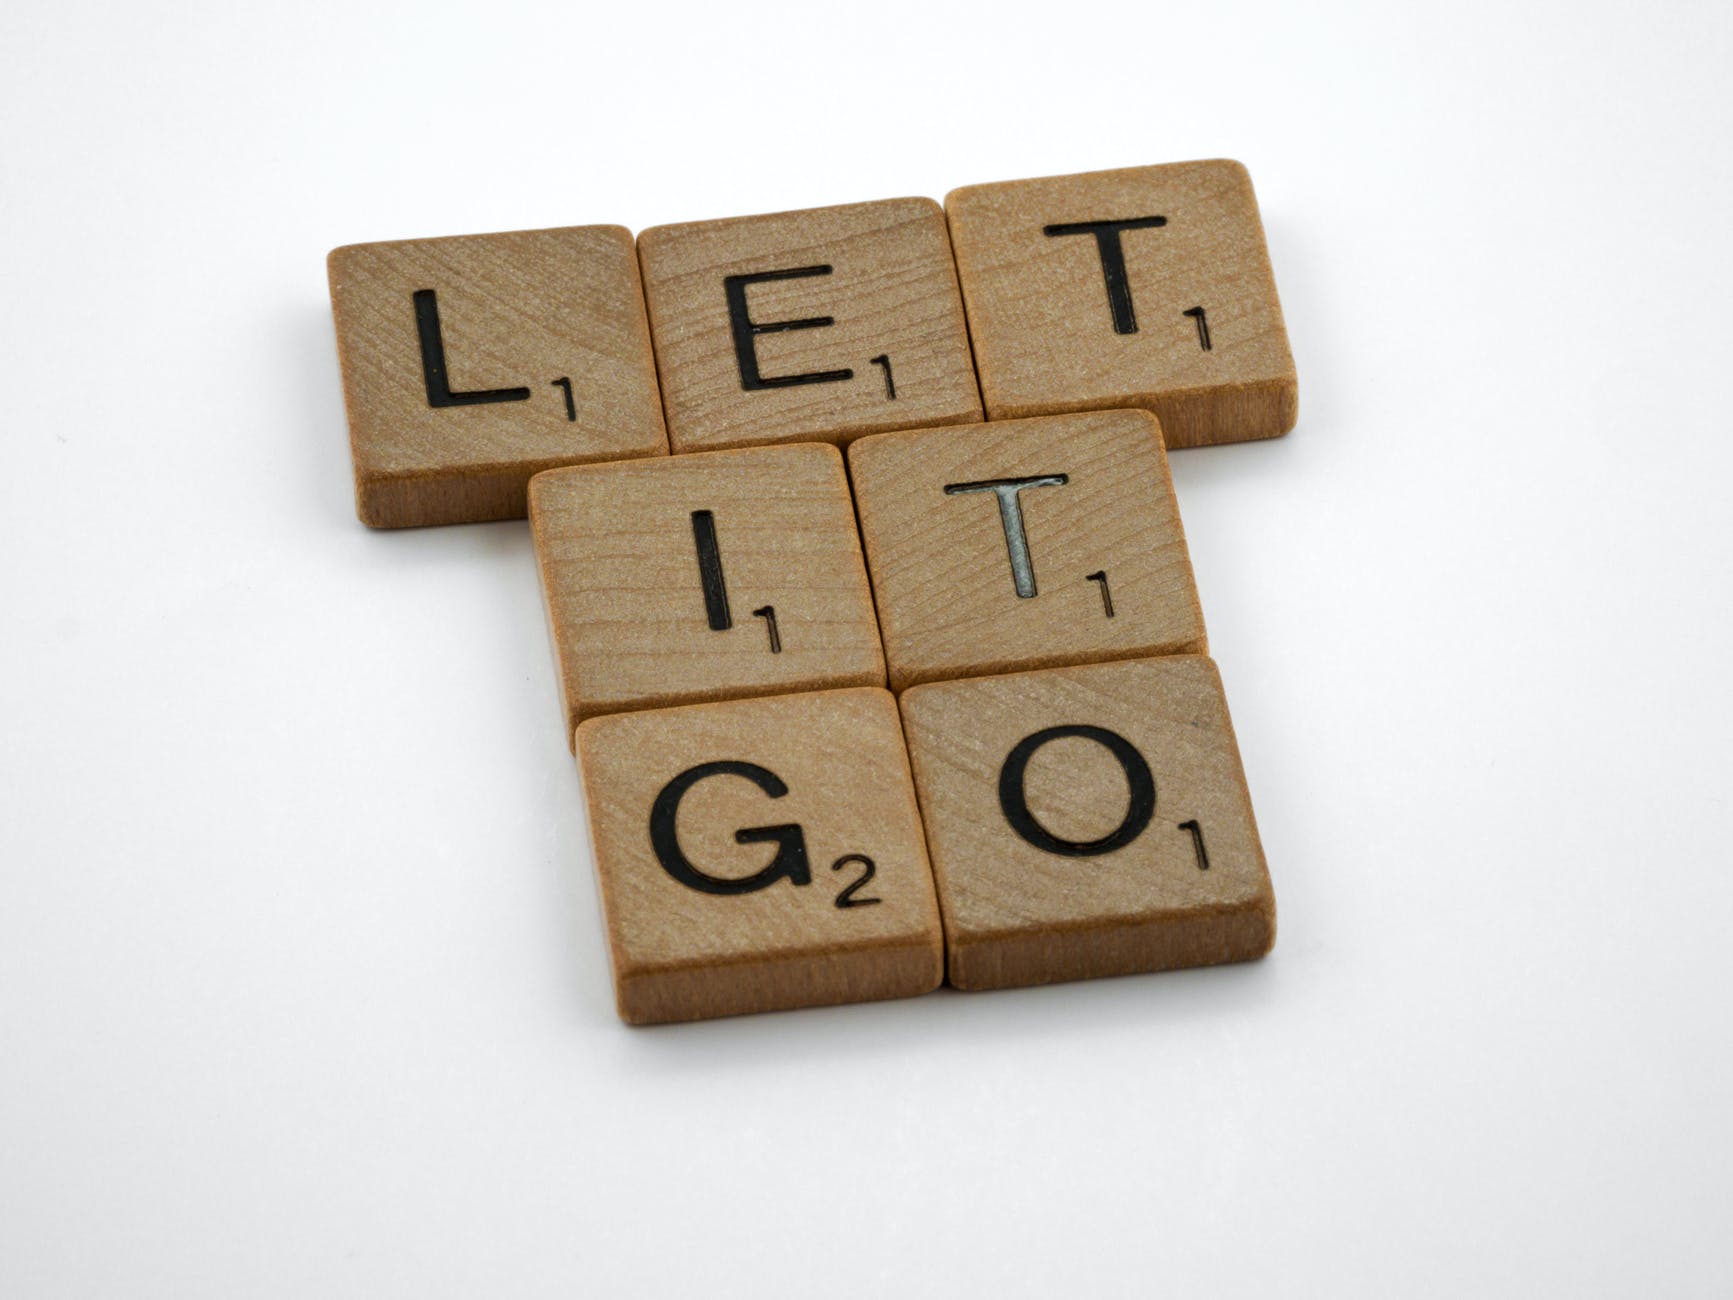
{"points": [[302, 989]]}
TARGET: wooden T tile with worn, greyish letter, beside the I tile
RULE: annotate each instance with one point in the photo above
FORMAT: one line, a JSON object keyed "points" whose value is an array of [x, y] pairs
{"points": [[1023, 545]]}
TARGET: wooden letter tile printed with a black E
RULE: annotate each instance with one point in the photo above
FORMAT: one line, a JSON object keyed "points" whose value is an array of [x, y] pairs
{"points": [[808, 325]]}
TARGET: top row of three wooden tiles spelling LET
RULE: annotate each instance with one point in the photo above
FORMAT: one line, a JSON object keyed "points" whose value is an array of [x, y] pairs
{"points": [[536, 349]]}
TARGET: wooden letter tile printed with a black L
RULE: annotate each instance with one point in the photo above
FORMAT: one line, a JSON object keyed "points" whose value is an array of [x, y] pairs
{"points": [[474, 363]]}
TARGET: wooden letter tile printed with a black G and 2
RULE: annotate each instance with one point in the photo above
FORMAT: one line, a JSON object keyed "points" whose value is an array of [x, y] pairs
{"points": [[760, 855]]}
